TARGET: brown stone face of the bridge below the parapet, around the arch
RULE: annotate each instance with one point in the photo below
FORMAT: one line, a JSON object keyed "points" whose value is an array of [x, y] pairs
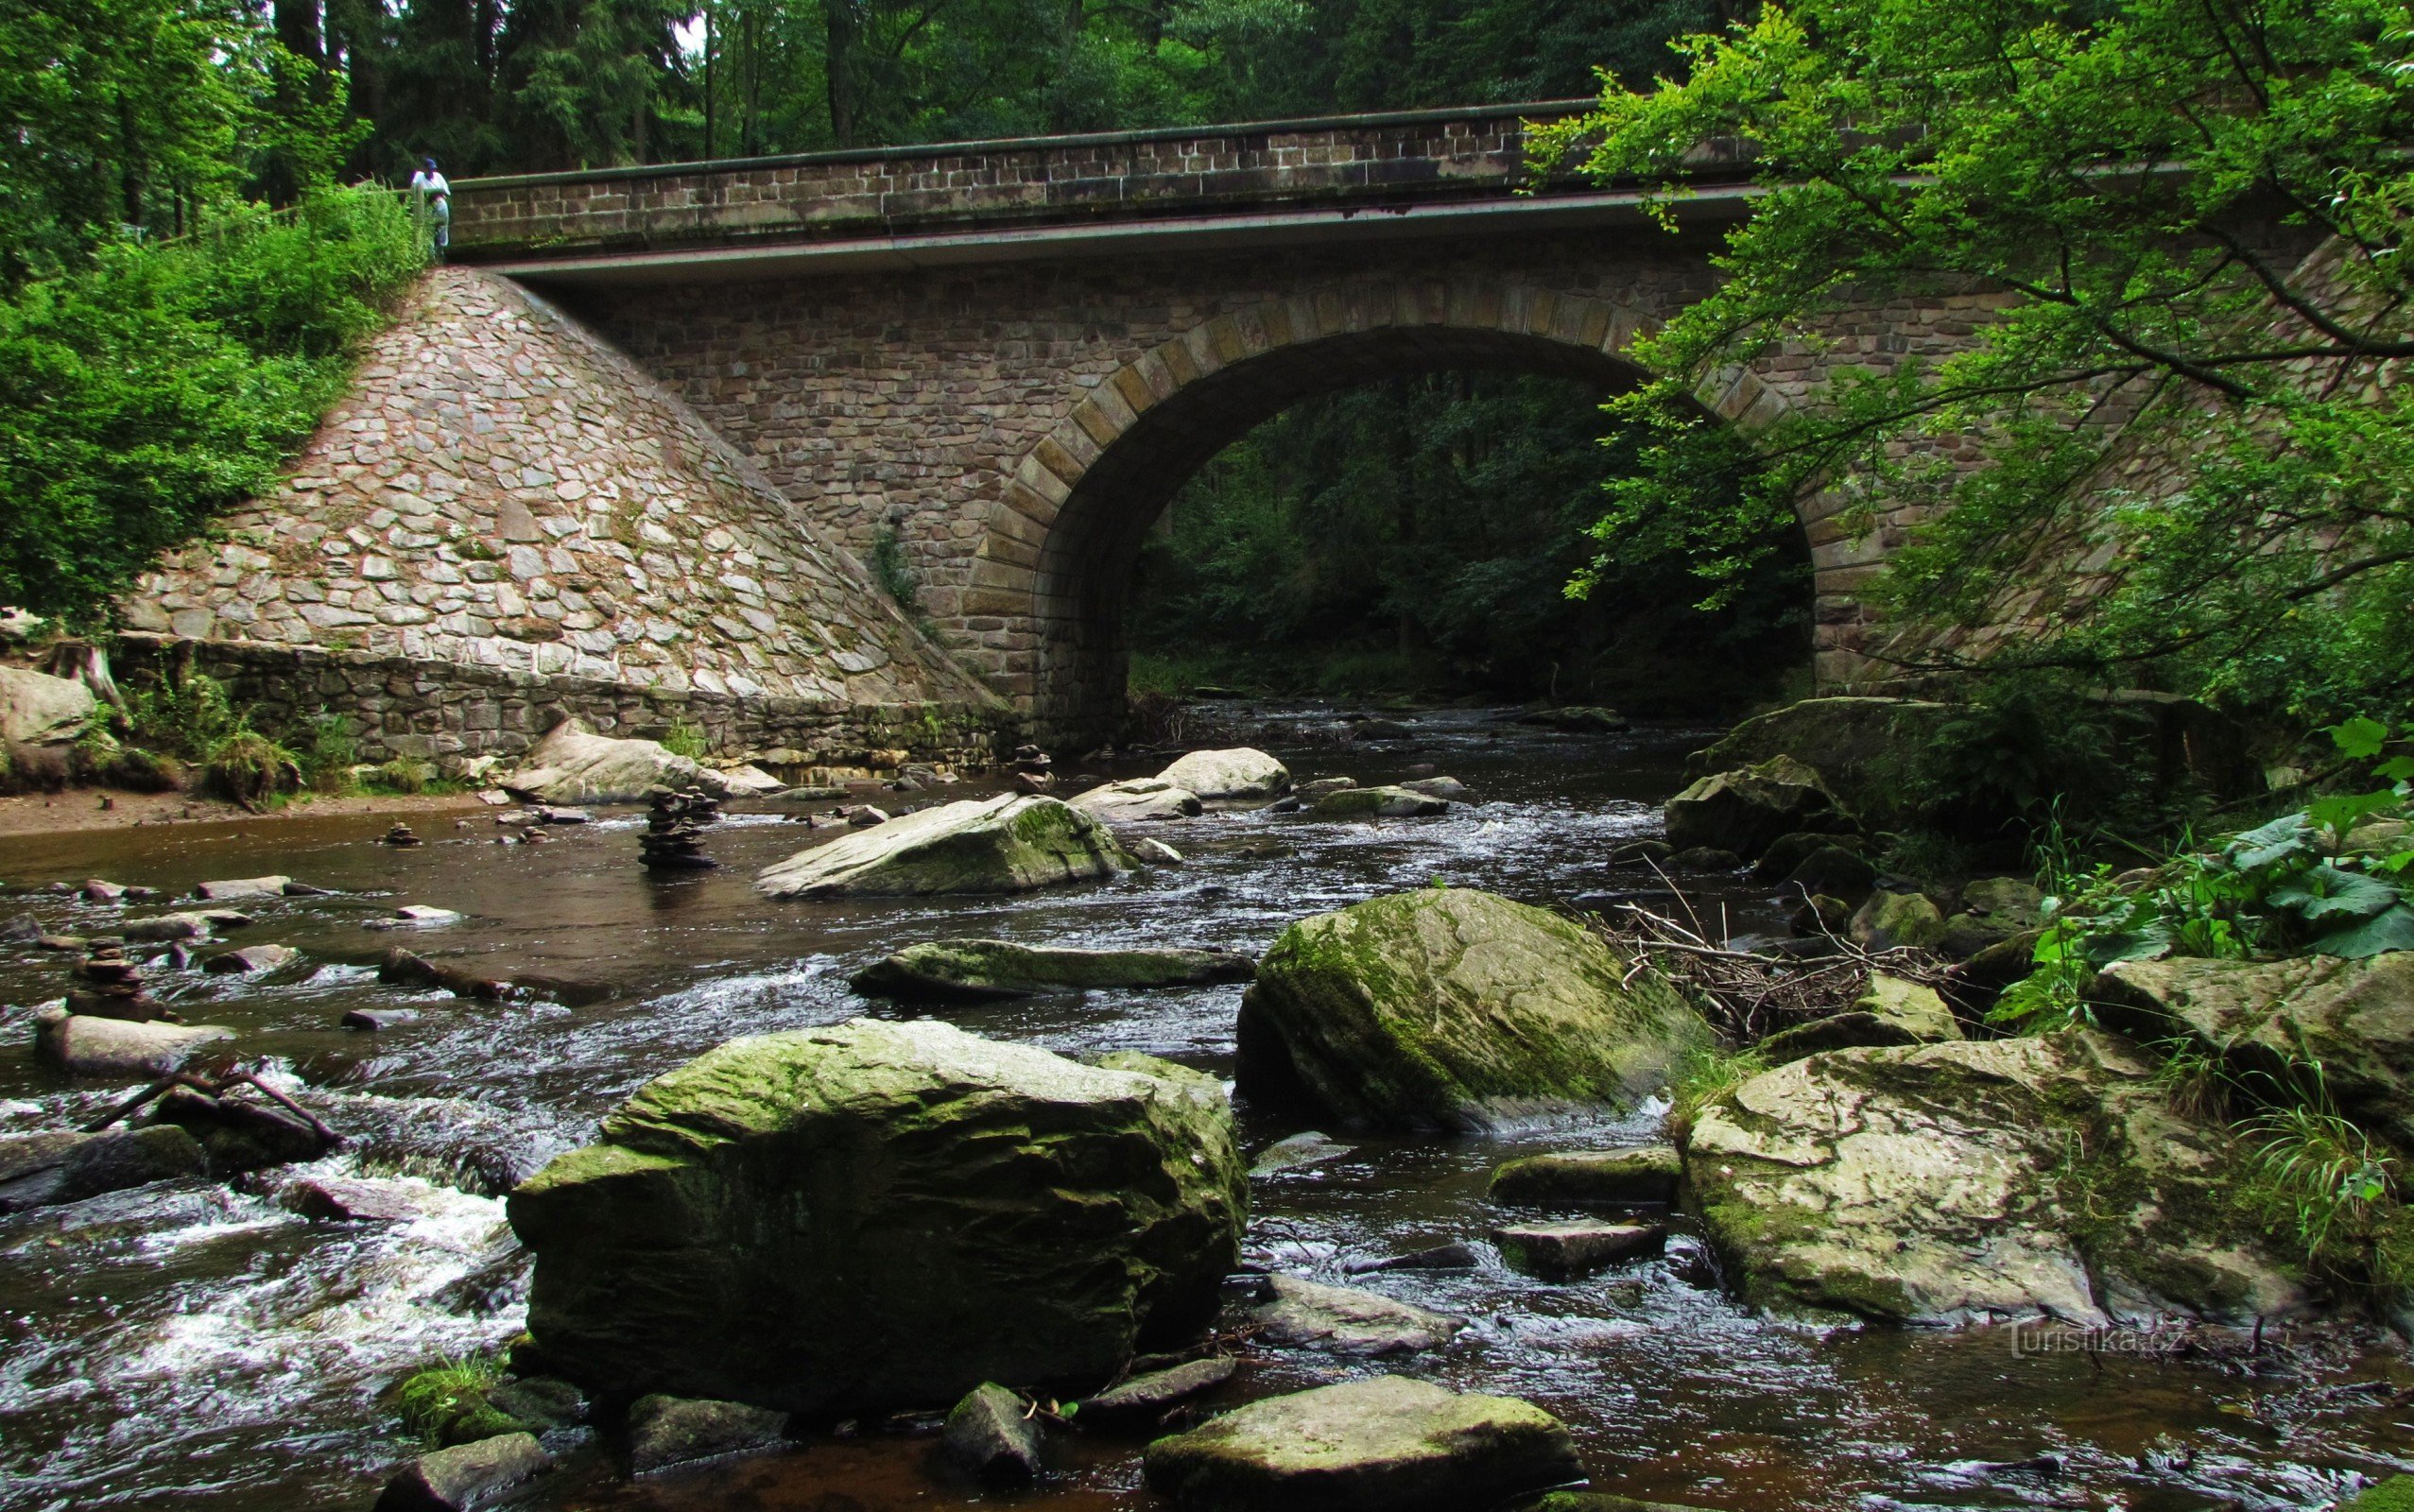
{"points": [[964, 407]]}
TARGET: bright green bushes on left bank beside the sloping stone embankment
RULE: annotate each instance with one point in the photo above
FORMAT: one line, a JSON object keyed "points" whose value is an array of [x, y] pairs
{"points": [[170, 383]]}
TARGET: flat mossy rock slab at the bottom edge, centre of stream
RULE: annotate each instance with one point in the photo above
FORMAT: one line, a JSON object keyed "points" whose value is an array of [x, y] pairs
{"points": [[1382, 1446]]}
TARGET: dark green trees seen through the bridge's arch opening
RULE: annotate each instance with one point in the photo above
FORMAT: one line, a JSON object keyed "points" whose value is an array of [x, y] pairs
{"points": [[1418, 535]]}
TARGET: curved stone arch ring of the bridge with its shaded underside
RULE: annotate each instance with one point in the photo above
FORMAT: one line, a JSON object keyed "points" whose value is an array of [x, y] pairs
{"points": [[1054, 566]]}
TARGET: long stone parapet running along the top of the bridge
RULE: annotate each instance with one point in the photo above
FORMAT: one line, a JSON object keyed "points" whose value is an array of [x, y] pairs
{"points": [[1375, 163]]}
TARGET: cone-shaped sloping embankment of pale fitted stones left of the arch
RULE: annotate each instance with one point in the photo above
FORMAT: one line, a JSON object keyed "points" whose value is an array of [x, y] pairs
{"points": [[501, 499]]}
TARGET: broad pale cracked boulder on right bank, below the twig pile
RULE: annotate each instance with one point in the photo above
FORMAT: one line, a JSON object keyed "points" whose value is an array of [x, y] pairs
{"points": [[1983, 1180]]}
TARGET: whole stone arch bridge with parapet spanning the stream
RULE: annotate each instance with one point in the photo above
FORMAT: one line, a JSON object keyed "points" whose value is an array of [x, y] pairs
{"points": [[1013, 354]]}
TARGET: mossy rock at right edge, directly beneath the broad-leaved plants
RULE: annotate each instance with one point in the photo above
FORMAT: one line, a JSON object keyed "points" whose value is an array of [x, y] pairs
{"points": [[2270, 1018]]}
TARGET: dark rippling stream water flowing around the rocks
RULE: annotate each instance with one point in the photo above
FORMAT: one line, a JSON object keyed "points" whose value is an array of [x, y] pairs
{"points": [[204, 1347]]}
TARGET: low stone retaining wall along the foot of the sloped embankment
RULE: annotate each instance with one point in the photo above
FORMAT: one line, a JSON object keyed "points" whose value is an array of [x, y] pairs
{"points": [[443, 711]]}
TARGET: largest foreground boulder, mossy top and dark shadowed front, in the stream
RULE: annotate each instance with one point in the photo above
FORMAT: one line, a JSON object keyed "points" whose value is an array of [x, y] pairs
{"points": [[882, 1216]]}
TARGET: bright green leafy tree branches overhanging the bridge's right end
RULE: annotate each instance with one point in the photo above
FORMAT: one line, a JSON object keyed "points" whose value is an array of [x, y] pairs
{"points": [[1928, 149]]}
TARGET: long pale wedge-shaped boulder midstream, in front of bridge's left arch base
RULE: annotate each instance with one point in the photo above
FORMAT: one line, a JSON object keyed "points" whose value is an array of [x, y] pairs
{"points": [[976, 847]]}
